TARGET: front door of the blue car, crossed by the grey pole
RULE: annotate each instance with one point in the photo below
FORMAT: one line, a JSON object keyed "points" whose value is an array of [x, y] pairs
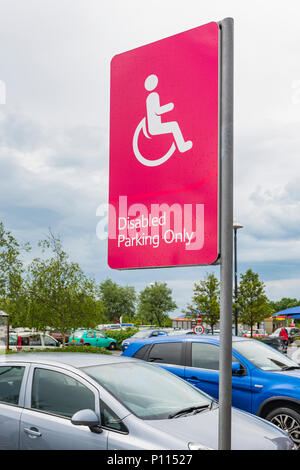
{"points": [[203, 371]]}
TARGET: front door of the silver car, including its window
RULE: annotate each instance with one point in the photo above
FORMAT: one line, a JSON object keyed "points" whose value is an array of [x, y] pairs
{"points": [[53, 395]]}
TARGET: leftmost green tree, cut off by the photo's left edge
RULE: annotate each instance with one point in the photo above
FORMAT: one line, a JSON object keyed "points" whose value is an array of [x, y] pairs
{"points": [[12, 292]]}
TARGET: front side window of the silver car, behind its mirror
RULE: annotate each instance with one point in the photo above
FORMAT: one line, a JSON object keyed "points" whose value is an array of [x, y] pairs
{"points": [[60, 394]]}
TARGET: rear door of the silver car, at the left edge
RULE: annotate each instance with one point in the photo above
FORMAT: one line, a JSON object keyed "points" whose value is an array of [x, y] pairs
{"points": [[12, 387]]}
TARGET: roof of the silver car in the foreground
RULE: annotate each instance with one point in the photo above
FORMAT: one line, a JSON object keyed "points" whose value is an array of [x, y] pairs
{"points": [[76, 359]]}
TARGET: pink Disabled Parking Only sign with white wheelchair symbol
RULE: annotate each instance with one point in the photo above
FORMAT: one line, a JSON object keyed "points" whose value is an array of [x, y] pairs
{"points": [[163, 176]]}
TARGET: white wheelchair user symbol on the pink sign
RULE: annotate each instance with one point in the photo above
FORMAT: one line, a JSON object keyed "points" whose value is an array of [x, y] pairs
{"points": [[156, 127]]}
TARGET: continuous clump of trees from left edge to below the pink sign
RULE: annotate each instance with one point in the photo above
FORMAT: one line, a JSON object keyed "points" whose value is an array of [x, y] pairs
{"points": [[52, 291]]}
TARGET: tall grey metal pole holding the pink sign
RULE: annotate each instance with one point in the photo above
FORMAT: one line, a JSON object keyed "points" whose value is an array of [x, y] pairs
{"points": [[226, 138]]}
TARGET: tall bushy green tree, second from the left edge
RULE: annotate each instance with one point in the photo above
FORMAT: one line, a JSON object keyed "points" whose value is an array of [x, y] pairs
{"points": [[59, 293]]}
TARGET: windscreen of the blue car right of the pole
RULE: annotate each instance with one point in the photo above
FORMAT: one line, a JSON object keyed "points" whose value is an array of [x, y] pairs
{"points": [[262, 356]]}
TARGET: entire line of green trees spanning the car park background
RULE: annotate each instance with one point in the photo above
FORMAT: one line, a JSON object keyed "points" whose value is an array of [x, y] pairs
{"points": [[52, 291]]}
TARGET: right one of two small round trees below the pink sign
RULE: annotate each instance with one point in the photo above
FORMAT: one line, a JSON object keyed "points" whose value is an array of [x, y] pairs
{"points": [[154, 304]]}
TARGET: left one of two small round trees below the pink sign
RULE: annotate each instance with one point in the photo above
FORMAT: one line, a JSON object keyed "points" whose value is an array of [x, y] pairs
{"points": [[118, 301]]}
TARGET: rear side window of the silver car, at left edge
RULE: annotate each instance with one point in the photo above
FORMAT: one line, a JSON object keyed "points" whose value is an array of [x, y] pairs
{"points": [[10, 383]]}
